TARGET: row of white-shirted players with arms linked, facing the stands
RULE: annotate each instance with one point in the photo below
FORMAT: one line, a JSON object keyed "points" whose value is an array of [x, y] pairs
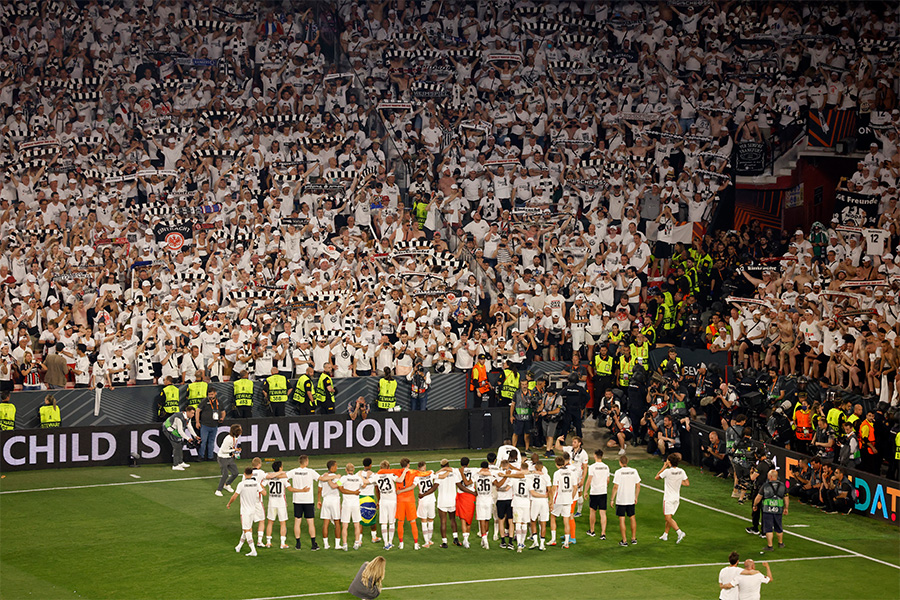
{"points": [[517, 493]]}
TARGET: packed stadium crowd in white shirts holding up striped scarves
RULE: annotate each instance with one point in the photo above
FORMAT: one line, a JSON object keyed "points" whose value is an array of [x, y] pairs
{"points": [[198, 191]]}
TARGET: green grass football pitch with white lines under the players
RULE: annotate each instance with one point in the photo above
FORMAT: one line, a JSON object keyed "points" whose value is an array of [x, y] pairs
{"points": [[149, 532]]}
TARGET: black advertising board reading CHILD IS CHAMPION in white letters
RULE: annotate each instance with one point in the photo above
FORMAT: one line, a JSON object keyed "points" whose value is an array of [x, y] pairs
{"points": [[332, 434]]}
